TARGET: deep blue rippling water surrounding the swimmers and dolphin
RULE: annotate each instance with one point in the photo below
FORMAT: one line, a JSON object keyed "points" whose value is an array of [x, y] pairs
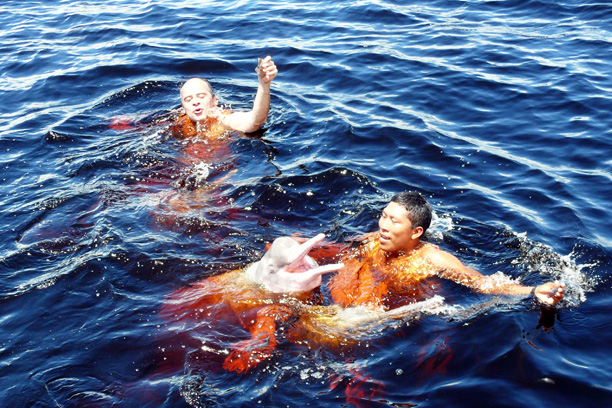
{"points": [[498, 111]]}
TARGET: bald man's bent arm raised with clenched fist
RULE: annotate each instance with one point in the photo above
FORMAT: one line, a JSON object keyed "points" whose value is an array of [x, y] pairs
{"points": [[252, 120]]}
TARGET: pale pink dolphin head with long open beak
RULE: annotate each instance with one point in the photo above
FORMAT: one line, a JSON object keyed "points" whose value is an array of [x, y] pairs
{"points": [[286, 266]]}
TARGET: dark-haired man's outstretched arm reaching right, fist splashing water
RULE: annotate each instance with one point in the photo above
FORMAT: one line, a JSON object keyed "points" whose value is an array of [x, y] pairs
{"points": [[450, 267]]}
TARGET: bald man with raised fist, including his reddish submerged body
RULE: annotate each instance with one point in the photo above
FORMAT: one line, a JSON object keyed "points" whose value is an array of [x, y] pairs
{"points": [[205, 154]]}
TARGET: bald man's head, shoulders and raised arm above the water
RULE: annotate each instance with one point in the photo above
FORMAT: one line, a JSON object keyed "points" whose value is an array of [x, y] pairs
{"points": [[202, 111]]}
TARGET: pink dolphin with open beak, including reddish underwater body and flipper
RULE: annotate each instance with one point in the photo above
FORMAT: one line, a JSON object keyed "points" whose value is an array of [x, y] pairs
{"points": [[273, 289]]}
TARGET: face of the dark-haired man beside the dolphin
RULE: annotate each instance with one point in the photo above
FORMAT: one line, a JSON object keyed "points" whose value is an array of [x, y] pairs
{"points": [[396, 232]]}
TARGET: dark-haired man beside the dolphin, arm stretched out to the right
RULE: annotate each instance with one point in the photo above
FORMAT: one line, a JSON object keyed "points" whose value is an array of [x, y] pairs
{"points": [[392, 266]]}
